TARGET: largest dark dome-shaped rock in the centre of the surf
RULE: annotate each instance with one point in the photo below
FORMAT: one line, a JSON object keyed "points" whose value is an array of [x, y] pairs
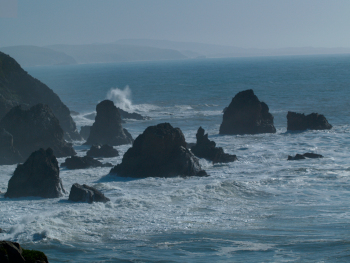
{"points": [[160, 151]]}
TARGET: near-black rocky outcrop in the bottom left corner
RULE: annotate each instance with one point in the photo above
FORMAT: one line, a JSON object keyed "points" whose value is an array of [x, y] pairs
{"points": [[12, 252]]}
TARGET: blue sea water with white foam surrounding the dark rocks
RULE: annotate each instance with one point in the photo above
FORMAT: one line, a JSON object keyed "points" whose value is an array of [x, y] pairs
{"points": [[261, 208]]}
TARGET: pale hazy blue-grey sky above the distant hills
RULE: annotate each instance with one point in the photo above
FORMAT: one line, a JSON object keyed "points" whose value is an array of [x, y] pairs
{"points": [[241, 23]]}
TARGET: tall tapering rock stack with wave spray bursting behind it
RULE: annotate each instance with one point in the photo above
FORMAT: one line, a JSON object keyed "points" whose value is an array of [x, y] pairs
{"points": [[107, 128]]}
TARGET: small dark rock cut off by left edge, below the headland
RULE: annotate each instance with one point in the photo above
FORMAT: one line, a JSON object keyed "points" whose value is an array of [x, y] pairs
{"points": [[8, 153]]}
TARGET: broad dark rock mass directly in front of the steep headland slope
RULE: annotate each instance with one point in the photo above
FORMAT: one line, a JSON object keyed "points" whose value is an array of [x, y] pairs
{"points": [[36, 128]]}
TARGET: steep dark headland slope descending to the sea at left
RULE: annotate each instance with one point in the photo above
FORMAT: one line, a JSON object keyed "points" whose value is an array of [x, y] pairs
{"points": [[18, 87]]}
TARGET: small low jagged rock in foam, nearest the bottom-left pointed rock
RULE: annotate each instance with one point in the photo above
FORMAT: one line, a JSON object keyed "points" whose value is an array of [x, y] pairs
{"points": [[85, 193]]}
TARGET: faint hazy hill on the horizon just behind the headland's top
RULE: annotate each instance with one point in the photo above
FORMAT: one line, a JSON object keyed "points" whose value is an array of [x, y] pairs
{"points": [[29, 56]]}
